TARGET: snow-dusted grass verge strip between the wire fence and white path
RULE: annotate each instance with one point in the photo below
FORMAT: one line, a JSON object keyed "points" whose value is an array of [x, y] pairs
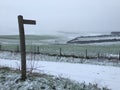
{"points": [[40, 57]]}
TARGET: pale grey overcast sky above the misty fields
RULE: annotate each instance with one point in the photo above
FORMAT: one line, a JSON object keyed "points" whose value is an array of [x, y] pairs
{"points": [[92, 16]]}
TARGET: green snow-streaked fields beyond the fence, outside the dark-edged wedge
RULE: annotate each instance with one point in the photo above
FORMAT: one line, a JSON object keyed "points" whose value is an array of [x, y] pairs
{"points": [[53, 44]]}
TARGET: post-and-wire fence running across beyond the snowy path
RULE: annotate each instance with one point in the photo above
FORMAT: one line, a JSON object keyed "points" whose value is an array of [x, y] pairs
{"points": [[61, 51]]}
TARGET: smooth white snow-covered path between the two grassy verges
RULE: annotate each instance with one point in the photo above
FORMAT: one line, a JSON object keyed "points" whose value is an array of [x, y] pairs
{"points": [[102, 75]]}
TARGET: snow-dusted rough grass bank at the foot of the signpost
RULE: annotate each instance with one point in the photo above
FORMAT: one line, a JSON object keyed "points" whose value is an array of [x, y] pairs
{"points": [[10, 80]]}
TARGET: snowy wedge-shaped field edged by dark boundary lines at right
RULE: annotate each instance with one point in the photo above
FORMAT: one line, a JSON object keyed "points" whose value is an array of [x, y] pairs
{"points": [[95, 39]]}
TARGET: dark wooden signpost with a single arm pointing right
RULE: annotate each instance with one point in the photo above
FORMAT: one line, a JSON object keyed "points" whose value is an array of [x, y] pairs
{"points": [[21, 23]]}
